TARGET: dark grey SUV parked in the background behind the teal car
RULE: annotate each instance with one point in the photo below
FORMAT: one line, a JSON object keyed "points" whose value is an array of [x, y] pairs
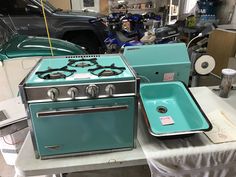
{"points": [[80, 27]]}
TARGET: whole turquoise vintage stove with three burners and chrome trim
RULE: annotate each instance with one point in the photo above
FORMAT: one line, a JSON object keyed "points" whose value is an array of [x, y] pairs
{"points": [[81, 104]]}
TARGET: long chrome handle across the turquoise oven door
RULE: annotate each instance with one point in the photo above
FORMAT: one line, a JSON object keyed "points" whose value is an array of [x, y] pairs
{"points": [[71, 112]]}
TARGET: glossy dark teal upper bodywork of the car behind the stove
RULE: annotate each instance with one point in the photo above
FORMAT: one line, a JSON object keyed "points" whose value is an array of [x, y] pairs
{"points": [[28, 46]]}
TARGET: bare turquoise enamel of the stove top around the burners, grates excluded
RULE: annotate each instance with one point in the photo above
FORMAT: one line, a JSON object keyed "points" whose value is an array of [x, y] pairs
{"points": [[104, 60]]}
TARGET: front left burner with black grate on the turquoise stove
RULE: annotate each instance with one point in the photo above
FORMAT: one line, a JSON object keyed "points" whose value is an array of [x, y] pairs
{"points": [[58, 73]]}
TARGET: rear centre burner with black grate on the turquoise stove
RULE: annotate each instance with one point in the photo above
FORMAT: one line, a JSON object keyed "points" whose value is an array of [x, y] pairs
{"points": [[82, 63]]}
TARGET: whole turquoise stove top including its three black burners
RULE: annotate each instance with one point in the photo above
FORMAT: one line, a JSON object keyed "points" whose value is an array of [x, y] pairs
{"points": [[79, 69]]}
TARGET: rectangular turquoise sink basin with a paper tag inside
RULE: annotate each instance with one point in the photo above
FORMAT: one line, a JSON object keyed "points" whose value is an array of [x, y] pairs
{"points": [[170, 109]]}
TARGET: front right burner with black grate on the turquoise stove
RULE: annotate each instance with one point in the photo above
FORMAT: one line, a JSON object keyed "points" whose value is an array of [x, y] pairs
{"points": [[107, 70]]}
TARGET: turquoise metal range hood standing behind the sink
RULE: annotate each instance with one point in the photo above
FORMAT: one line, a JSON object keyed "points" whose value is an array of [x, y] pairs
{"points": [[157, 63]]}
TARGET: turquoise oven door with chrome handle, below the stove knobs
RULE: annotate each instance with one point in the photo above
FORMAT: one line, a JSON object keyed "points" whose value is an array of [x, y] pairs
{"points": [[62, 128]]}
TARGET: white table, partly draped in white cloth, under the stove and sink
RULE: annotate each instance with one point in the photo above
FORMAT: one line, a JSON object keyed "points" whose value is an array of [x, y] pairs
{"points": [[193, 155]]}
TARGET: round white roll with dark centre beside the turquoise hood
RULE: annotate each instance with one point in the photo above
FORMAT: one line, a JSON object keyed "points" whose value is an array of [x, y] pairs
{"points": [[204, 64]]}
